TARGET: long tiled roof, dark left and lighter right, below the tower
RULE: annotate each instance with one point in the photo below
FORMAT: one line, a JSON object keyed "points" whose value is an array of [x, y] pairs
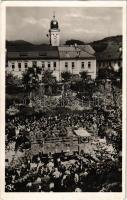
{"points": [[49, 52]]}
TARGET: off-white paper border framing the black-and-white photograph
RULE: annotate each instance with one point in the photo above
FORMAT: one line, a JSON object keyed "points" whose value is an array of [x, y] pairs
{"points": [[54, 196]]}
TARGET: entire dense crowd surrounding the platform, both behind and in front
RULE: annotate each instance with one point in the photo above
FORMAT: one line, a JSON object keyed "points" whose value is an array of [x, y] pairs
{"points": [[54, 173]]}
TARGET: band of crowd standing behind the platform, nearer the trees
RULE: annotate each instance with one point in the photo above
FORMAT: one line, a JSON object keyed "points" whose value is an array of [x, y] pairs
{"points": [[54, 125]]}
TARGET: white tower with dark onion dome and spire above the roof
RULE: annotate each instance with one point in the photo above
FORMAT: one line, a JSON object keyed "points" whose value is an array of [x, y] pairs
{"points": [[54, 32]]}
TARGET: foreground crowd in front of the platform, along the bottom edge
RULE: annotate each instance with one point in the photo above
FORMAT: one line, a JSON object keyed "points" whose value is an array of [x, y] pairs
{"points": [[54, 174]]}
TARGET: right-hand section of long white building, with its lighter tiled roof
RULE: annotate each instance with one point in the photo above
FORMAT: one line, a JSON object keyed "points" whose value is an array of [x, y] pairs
{"points": [[74, 60]]}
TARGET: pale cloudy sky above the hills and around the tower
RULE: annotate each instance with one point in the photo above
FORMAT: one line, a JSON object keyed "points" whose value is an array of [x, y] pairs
{"points": [[86, 24]]}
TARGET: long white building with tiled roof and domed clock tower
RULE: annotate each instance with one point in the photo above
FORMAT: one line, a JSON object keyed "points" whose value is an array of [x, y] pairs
{"points": [[55, 57]]}
